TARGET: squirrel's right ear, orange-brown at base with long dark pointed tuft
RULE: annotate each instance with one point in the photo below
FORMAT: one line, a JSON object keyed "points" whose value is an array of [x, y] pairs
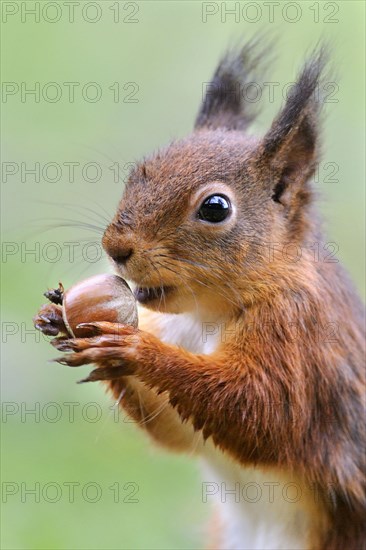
{"points": [[289, 150]]}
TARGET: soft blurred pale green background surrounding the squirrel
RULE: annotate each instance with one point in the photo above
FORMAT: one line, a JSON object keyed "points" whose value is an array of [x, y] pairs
{"points": [[167, 51]]}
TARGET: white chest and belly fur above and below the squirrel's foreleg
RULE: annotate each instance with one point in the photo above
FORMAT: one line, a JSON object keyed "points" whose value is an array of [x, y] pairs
{"points": [[259, 509]]}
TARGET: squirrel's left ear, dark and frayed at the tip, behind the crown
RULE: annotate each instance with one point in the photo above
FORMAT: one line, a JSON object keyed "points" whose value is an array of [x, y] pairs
{"points": [[224, 104]]}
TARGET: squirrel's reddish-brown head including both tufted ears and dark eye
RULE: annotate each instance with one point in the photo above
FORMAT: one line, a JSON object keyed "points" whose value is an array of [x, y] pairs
{"points": [[197, 218]]}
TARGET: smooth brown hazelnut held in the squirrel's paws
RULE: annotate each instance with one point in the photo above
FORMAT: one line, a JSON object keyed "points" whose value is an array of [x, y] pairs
{"points": [[99, 298]]}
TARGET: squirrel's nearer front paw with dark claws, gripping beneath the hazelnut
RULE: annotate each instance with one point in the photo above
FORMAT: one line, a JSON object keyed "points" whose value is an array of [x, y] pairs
{"points": [[113, 350]]}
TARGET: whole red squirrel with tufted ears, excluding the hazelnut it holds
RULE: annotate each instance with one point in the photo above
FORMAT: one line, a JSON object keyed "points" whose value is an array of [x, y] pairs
{"points": [[244, 356]]}
